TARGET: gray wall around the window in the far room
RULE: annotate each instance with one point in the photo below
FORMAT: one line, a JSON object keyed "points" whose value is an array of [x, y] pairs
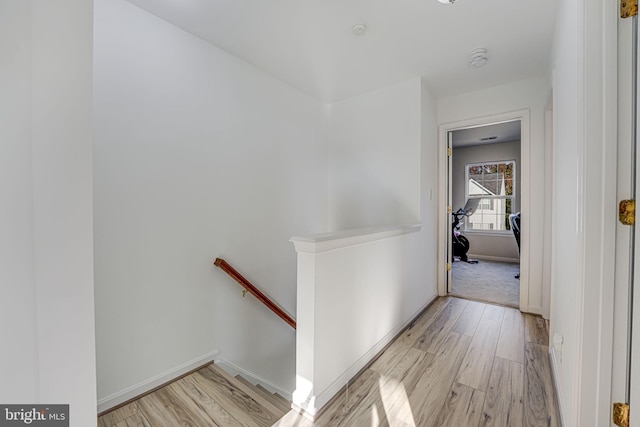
{"points": [[486, 244]]}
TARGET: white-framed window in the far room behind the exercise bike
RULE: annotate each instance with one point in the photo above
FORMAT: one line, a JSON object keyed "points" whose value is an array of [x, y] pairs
{"points": [[493, 184]]}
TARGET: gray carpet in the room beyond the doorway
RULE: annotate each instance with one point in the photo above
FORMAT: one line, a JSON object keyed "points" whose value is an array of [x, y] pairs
{"points": [[489, 281]]}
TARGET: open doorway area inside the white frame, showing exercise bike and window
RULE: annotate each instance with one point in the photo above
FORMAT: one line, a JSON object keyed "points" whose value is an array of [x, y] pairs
{"points": [[485, 200]]}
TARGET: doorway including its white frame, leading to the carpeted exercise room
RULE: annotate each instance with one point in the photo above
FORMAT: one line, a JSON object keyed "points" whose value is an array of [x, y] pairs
{"points": [[492, 241]]}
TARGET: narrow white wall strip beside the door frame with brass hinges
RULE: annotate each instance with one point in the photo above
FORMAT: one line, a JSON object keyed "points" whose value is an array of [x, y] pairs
{"points": [[567, 123]]}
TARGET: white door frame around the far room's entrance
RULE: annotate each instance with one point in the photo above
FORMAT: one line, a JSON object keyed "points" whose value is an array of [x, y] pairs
{"points": [[444, 223]]}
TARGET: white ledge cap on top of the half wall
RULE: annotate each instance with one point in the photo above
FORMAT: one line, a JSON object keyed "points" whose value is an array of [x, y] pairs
{"points": [[323, 242]]}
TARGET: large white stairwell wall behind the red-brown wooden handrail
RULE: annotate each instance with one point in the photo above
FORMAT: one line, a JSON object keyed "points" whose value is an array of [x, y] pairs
{"points": [[198, 155]]}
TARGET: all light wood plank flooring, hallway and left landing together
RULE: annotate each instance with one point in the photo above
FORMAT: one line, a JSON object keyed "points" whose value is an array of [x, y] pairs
{"points": [[462, 363]]}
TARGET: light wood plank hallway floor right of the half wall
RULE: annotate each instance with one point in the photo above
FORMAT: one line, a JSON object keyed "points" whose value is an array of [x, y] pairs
{"points": [[462, 363]]}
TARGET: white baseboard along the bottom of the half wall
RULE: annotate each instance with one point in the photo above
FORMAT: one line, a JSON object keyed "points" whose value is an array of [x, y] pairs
{"points": [[314, 404]]}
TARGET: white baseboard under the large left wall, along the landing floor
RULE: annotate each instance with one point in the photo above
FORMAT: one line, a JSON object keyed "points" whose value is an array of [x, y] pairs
{"points": [[135, 390]]}
